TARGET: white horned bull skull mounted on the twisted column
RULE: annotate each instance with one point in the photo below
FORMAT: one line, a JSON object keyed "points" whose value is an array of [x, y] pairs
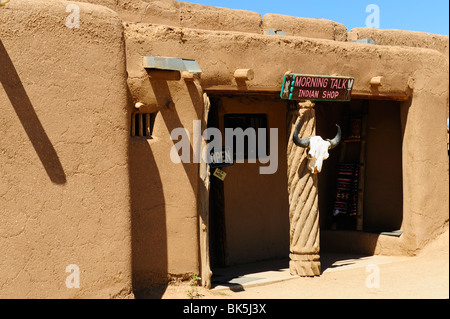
{"points": [[317, 148]]}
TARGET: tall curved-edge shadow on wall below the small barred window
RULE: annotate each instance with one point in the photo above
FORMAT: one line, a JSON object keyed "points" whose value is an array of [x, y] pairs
{"points": [[148, 222]]}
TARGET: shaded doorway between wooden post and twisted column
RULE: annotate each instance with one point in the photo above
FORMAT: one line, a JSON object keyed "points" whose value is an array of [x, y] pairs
{"points": [[249, 211]]}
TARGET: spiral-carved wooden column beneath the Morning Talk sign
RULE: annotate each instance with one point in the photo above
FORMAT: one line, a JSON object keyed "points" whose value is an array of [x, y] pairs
{"points": [[303, 198]]}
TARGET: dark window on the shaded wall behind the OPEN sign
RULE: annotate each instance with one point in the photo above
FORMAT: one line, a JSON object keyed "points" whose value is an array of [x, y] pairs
{"points": [[245, 121]]}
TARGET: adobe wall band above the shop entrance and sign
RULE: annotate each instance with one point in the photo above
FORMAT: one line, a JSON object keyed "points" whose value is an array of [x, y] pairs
{"points": [[216, 53]]}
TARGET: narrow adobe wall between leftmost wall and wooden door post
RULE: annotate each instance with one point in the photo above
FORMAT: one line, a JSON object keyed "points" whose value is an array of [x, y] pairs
{"points": [[163, 194]]}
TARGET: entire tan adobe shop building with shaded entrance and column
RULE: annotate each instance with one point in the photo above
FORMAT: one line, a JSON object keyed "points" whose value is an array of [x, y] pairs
{"points": [[91, 204]]}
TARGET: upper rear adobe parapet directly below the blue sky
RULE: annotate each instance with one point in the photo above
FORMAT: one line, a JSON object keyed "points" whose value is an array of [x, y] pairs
{"points": [[196, 16]]}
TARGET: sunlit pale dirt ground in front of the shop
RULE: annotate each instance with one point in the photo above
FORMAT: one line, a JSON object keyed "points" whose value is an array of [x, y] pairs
{"points": [[425, 276]]}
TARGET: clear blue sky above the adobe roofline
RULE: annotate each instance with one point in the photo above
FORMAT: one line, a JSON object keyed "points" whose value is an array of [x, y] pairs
{"points": [[414, 15]]}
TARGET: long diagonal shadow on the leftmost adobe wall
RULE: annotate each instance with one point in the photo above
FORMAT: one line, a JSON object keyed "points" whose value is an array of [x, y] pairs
{"points": [[10, 80]]}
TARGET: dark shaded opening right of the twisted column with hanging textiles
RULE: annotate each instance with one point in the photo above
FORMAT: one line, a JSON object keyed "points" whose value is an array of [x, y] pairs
{"points": [[361, 185]]}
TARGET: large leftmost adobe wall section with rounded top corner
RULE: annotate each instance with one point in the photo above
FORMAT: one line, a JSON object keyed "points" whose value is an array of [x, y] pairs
{"points": [[64, 187]]}
